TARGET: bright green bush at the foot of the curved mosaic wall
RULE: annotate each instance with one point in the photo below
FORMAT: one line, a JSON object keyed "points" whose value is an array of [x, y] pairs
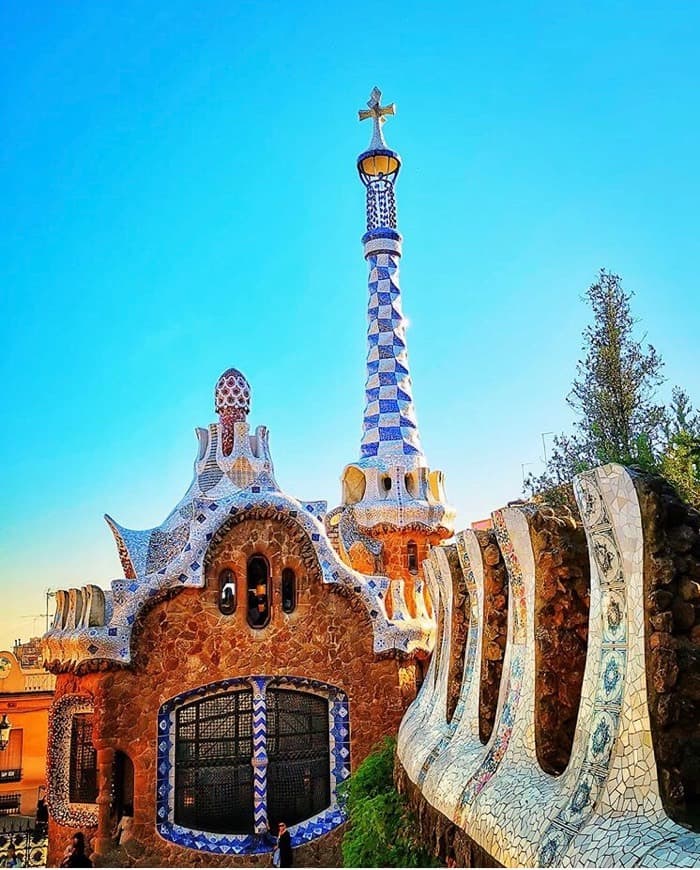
{"points": [[382, 831]]}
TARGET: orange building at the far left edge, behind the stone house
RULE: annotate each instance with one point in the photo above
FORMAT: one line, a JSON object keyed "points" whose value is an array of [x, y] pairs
{"points": [[26, 693]]}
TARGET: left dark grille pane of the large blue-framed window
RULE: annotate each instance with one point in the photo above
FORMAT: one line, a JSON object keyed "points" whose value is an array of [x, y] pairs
{"points": [[213, 771]]}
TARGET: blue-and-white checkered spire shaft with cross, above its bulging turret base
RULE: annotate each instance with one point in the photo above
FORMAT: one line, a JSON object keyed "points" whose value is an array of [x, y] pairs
{"points": [[390, 427]]}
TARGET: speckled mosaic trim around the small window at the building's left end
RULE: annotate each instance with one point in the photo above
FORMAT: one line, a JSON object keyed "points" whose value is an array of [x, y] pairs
{"points": [[73, 815]]}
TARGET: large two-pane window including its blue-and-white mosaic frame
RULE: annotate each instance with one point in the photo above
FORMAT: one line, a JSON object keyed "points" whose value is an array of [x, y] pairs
{"points": [[299, 745]]}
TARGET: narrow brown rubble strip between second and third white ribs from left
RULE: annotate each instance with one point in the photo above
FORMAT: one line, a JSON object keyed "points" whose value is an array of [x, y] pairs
{"points": [[495, 626]]}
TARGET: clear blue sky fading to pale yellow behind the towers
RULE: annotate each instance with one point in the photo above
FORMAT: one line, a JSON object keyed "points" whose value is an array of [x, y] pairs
{"points": [[178, 194]]}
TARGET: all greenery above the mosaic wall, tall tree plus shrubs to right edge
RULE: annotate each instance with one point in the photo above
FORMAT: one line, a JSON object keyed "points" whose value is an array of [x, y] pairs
{"points": [[618, 417]]}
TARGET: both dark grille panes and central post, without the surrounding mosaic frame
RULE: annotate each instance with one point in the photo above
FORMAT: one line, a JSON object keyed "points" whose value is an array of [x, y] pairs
{"points": [[216, 789]]}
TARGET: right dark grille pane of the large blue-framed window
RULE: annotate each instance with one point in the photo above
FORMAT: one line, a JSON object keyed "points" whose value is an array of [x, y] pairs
{"points": [[298, 773]]}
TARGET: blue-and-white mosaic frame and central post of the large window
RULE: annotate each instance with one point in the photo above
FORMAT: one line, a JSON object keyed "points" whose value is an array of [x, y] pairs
{"points": [[258, 843]]}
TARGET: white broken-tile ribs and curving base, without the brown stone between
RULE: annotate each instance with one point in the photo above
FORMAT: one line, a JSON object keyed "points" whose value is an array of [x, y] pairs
{"points": [[605, 809]]}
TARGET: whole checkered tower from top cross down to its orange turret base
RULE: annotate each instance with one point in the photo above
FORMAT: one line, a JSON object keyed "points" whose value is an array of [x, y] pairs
{"points": [[394, 506]]}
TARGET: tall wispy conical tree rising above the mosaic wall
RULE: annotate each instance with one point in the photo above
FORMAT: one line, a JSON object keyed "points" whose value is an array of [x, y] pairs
{"points": [[613, 394]]}
